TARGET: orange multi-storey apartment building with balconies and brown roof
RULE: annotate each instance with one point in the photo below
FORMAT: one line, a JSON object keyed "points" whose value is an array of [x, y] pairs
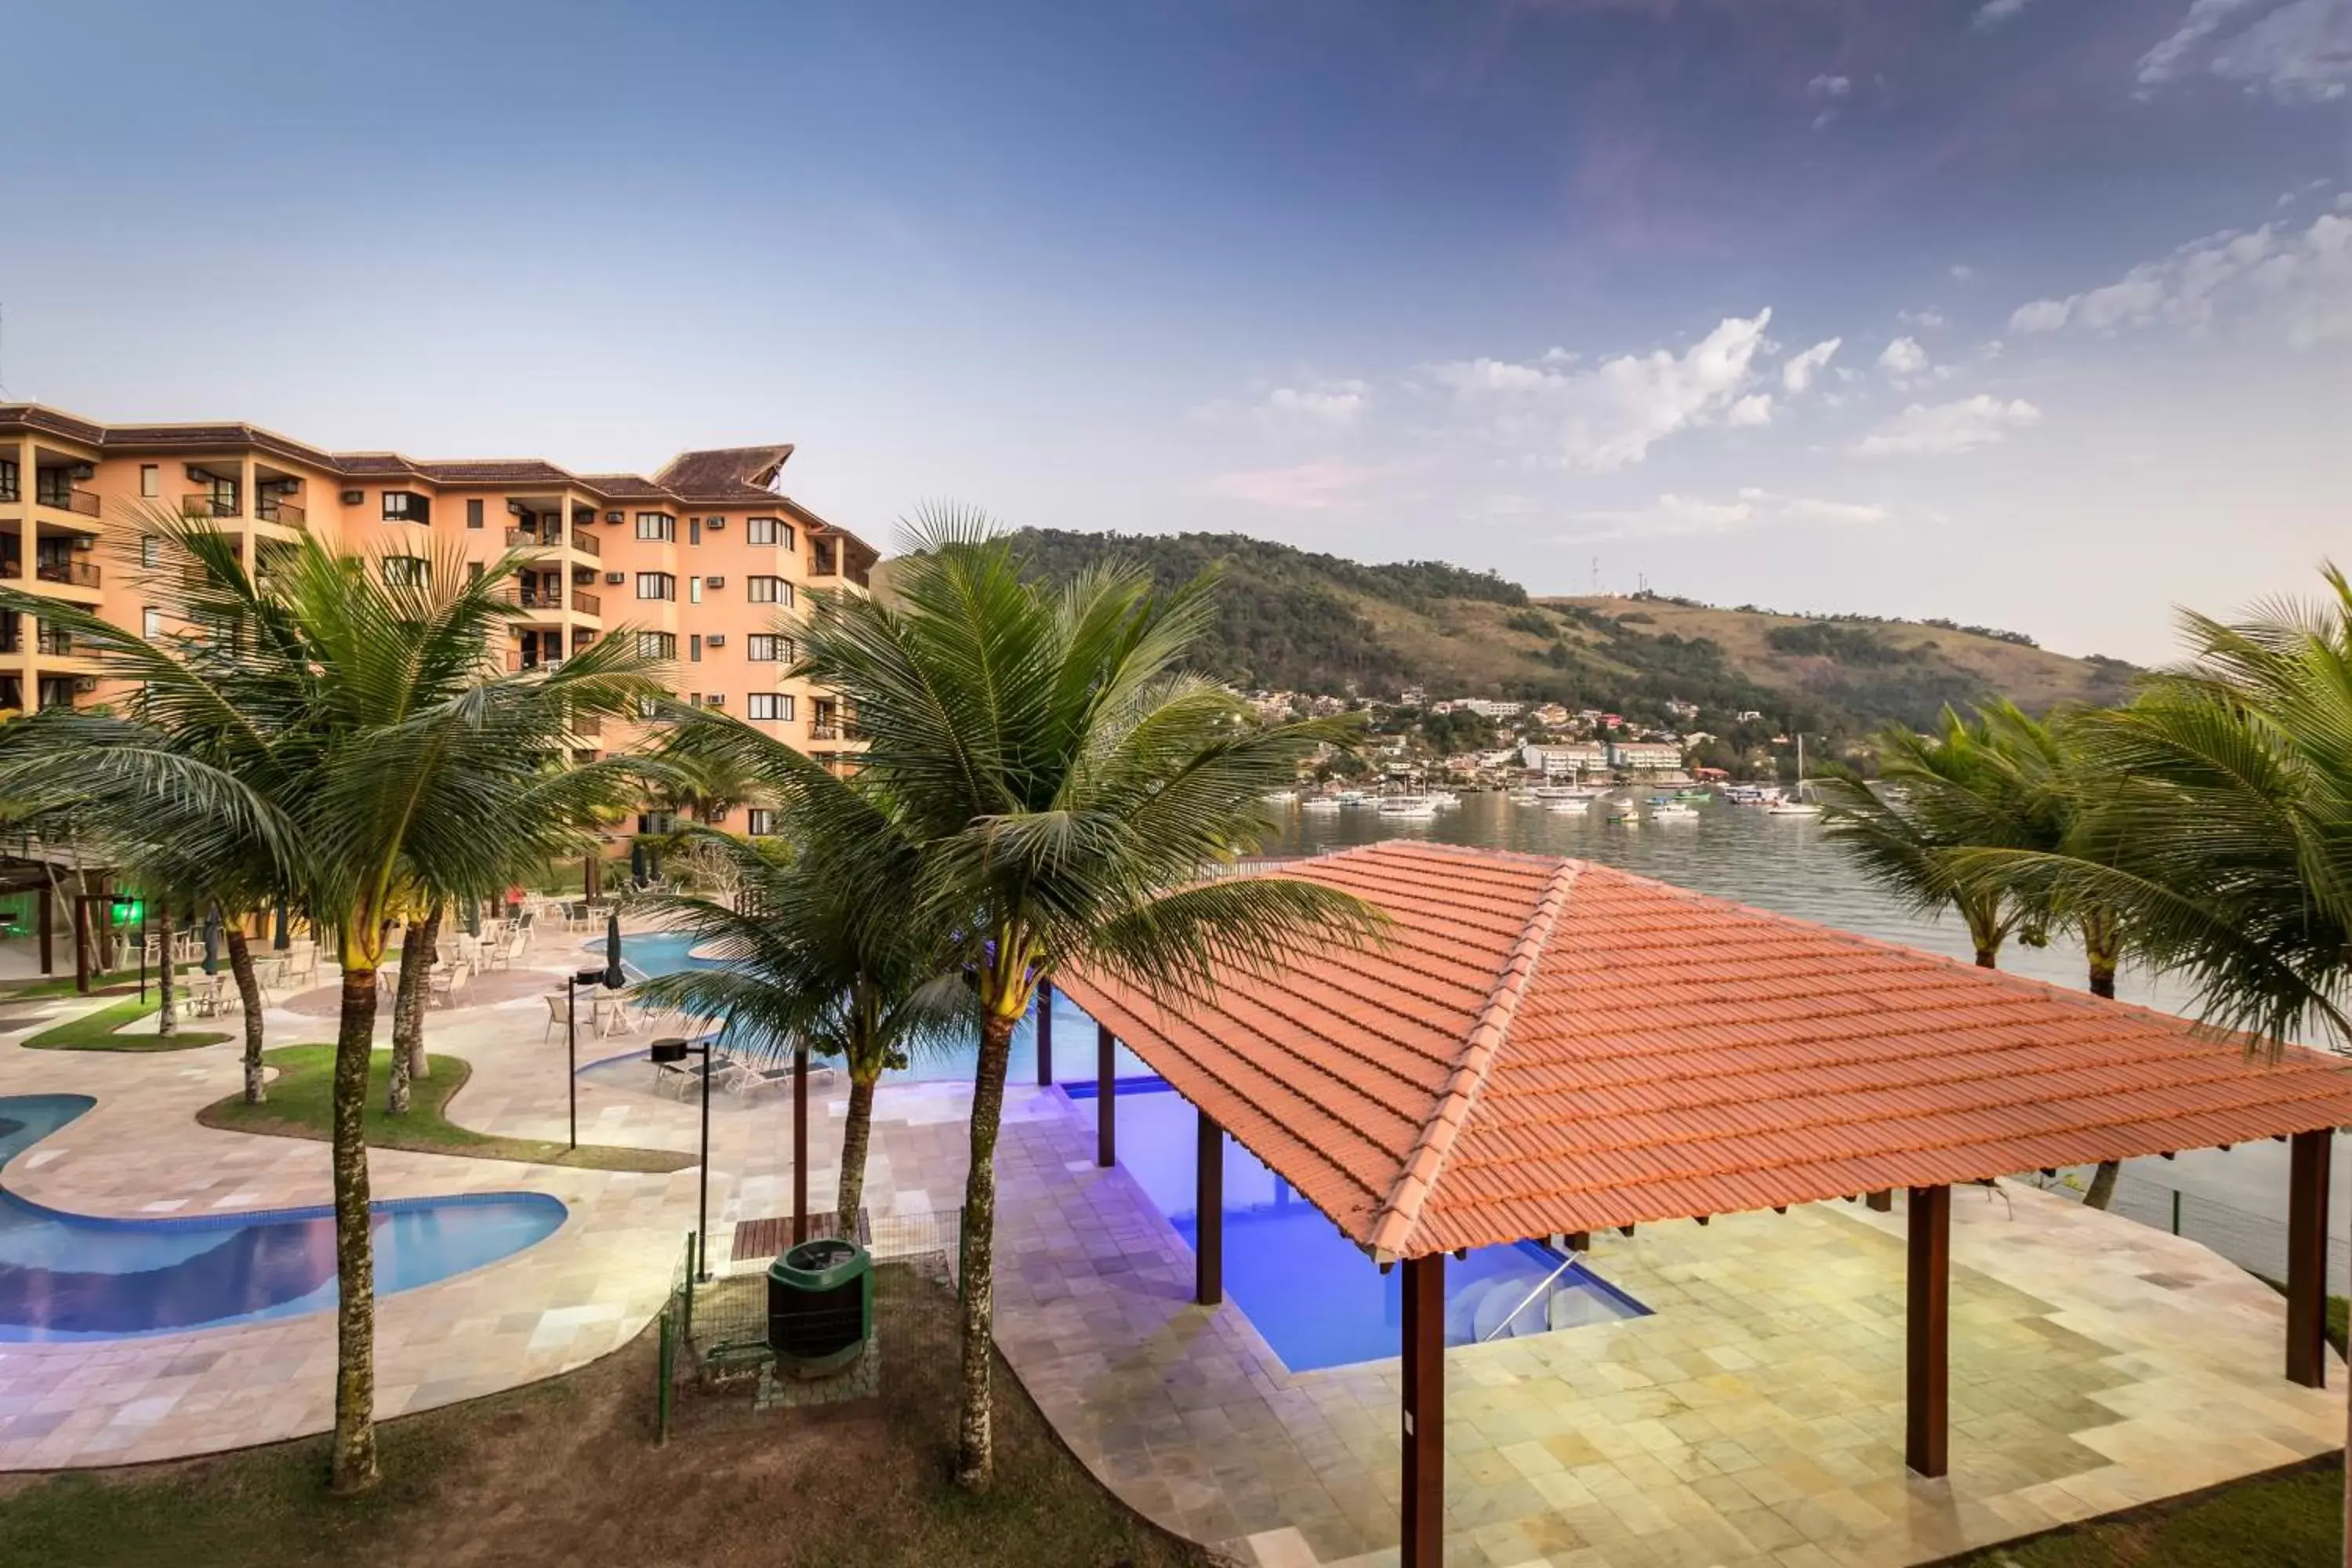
{"points": [[704, 561]]}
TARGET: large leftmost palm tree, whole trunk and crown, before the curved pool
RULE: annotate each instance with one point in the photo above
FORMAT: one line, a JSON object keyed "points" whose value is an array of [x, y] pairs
{"points": [[377, 751]]}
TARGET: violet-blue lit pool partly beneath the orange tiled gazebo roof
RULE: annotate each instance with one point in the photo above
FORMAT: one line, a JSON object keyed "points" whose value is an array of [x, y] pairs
{"points": [[1309, 1289]]}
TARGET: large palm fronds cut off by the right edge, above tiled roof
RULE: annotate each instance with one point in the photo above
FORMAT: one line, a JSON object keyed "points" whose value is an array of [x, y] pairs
{"points": [[2226, 838]]}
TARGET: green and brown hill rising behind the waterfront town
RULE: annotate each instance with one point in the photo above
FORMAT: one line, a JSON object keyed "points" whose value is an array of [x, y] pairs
{"points": [[1299, 622]]}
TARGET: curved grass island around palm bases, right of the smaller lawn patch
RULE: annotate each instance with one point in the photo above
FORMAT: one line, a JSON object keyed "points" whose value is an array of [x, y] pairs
{"points": [[298, 1108]]}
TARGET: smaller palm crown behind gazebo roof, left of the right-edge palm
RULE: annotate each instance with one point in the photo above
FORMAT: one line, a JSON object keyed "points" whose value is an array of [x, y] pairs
{"points": [[1953, 791]]}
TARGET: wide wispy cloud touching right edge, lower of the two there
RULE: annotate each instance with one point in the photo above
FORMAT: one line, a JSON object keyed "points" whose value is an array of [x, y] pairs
{"points": [[2301, 281]]}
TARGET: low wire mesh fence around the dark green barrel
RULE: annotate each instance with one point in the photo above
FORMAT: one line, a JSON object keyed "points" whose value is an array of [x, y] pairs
{"points": [[721, 1362]]}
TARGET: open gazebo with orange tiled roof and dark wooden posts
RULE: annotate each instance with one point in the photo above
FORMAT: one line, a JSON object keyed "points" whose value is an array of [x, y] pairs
{"points": [[1549, 1047]]}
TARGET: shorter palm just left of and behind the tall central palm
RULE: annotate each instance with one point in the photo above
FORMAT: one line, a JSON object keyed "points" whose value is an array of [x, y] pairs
{"points": [[813, 958]]}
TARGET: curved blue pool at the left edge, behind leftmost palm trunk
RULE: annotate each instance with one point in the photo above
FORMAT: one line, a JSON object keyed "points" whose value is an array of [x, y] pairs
{"points": [[83, 1278]]}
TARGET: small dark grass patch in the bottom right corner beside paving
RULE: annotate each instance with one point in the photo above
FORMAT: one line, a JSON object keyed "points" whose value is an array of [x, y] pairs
{"points": [[2290, 1520]]}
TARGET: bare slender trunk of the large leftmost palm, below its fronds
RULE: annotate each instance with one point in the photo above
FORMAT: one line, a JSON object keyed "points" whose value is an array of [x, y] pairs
{"points": [[354, 1249]]}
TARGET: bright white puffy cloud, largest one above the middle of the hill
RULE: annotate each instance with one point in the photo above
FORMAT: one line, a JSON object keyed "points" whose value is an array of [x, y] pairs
{"points": [[1612, 415]]}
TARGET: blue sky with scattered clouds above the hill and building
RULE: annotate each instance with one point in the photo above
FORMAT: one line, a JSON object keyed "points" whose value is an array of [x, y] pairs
{"points": [[2031, 314]]}
